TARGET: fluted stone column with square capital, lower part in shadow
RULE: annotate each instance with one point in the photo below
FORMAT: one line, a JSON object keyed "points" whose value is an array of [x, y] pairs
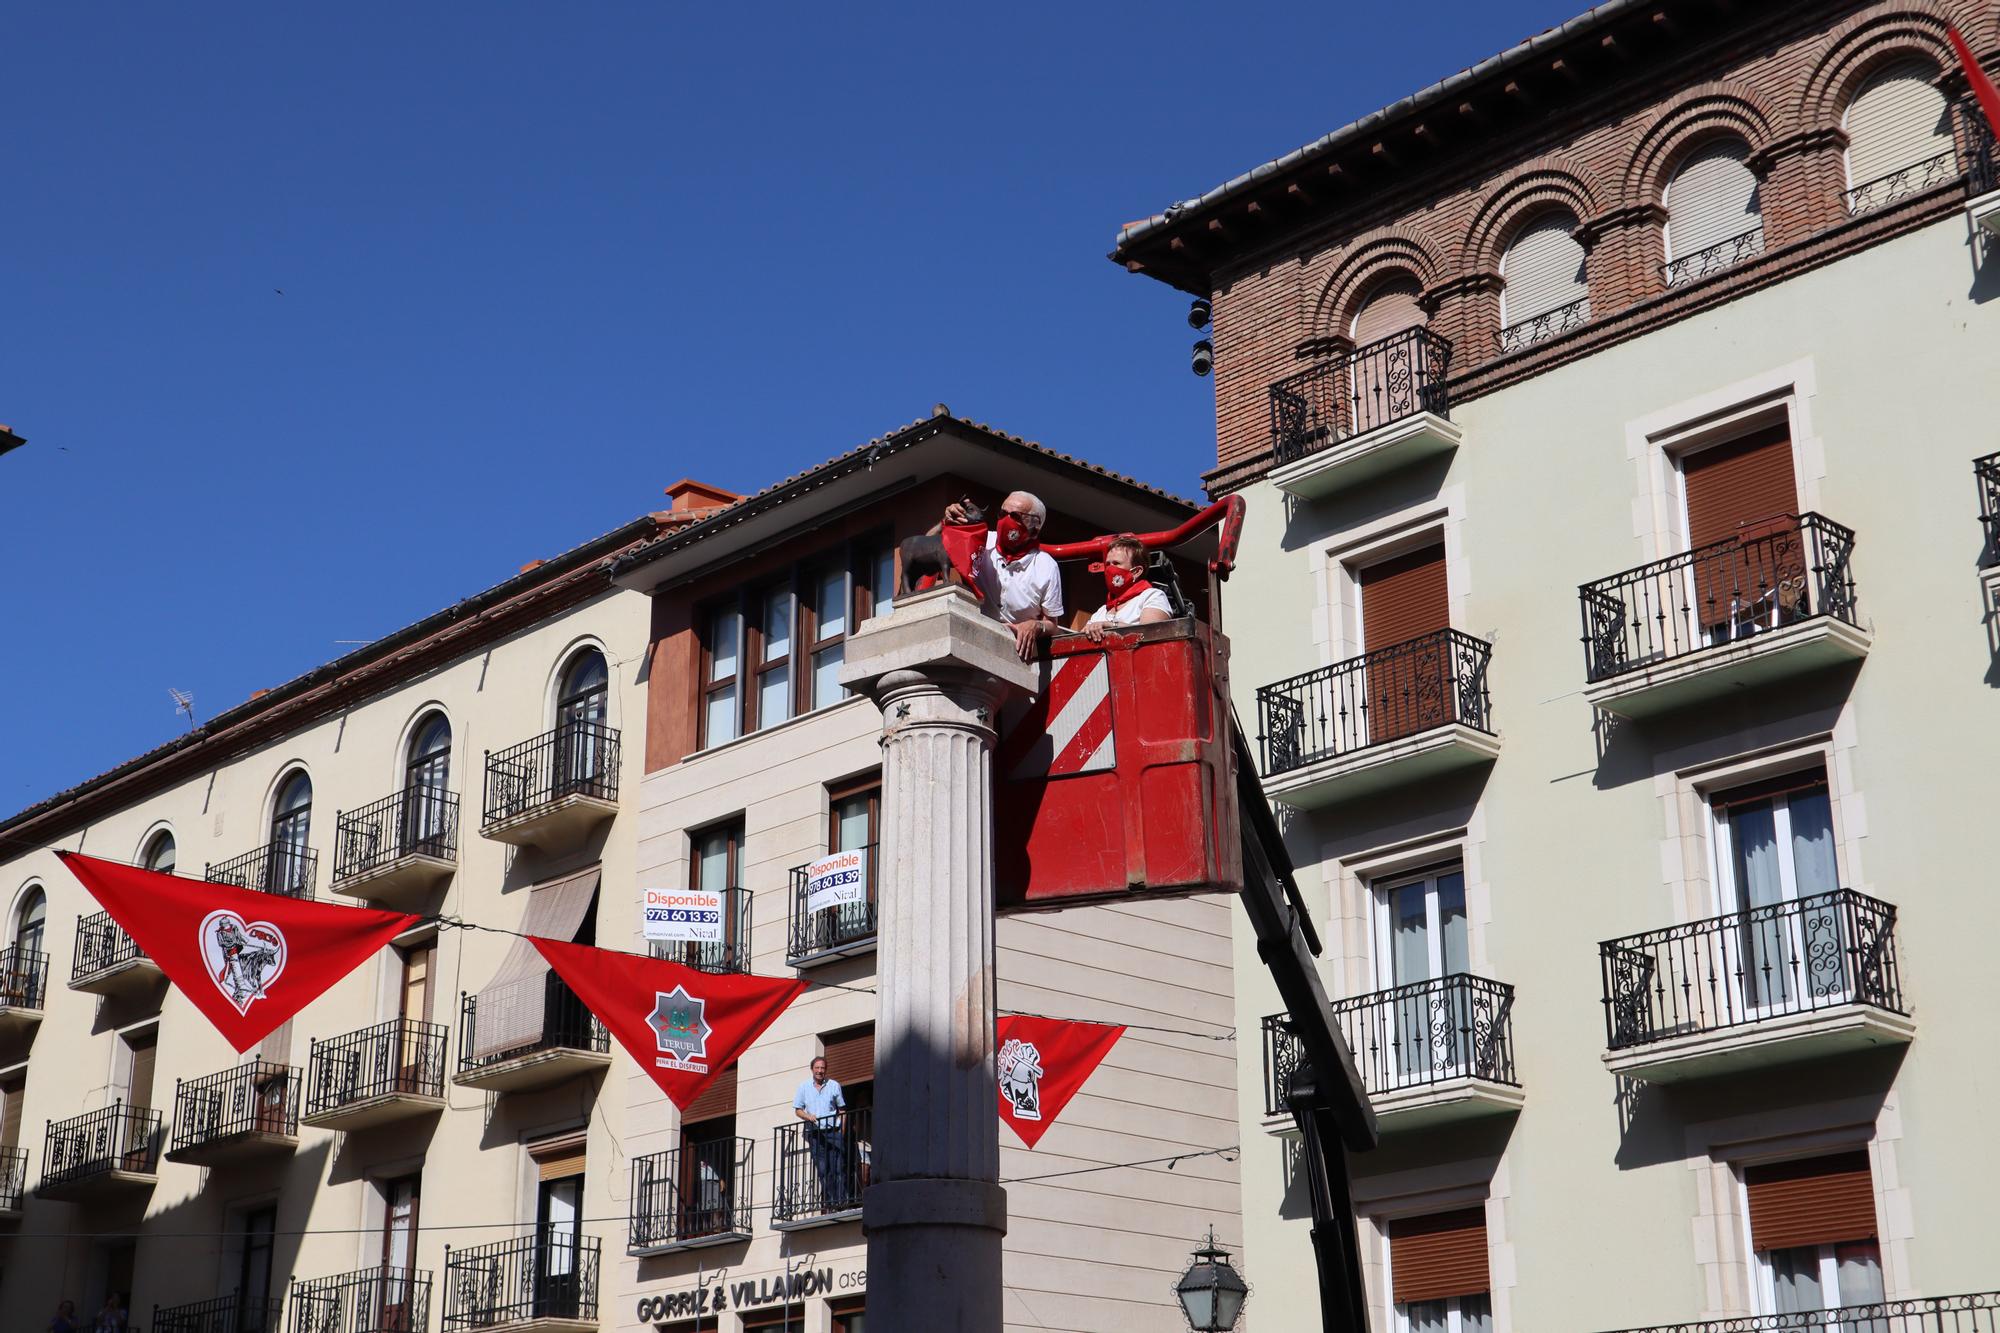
{"points": [[935, 1212]]}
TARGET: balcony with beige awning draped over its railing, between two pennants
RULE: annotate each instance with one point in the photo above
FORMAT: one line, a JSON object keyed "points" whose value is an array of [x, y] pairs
{"points": [[535, 1034]]}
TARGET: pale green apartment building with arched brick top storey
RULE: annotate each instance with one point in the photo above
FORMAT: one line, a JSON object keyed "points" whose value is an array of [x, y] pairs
{"points": [[1617, 423]]}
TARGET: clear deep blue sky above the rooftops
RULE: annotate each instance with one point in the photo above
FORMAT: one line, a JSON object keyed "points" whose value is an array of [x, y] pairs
{"points": [[541, 261]]}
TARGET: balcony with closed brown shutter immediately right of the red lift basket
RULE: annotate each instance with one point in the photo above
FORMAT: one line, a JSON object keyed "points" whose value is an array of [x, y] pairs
{"points": [[1389, 718]]}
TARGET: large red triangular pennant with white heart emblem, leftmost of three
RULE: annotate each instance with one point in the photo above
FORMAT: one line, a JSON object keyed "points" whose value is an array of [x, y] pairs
{"points": [[247, 960]]}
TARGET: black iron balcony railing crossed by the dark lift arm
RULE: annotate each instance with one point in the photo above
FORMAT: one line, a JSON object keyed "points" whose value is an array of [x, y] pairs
{"points": [[1409, 1038]]}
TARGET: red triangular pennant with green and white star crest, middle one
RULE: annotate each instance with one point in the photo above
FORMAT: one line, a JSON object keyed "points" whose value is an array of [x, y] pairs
{"points": [[683, 1026]]}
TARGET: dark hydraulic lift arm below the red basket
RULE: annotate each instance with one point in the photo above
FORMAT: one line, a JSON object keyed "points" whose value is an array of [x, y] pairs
{"points": [[1327, 1096]]}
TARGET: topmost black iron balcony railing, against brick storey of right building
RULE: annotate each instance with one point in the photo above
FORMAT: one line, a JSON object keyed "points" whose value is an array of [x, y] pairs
{"points": [[1351, 395]]}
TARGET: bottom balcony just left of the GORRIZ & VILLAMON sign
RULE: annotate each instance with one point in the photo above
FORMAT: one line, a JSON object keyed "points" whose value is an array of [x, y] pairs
{"points": [[537, 1284]]}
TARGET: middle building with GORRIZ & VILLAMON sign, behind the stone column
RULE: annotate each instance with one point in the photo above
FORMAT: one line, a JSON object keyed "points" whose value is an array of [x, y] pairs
{"points": [[757, 766]]}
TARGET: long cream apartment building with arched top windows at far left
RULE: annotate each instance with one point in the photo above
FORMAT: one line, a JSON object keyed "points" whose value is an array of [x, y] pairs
{"points": [[429, 1144]]}
